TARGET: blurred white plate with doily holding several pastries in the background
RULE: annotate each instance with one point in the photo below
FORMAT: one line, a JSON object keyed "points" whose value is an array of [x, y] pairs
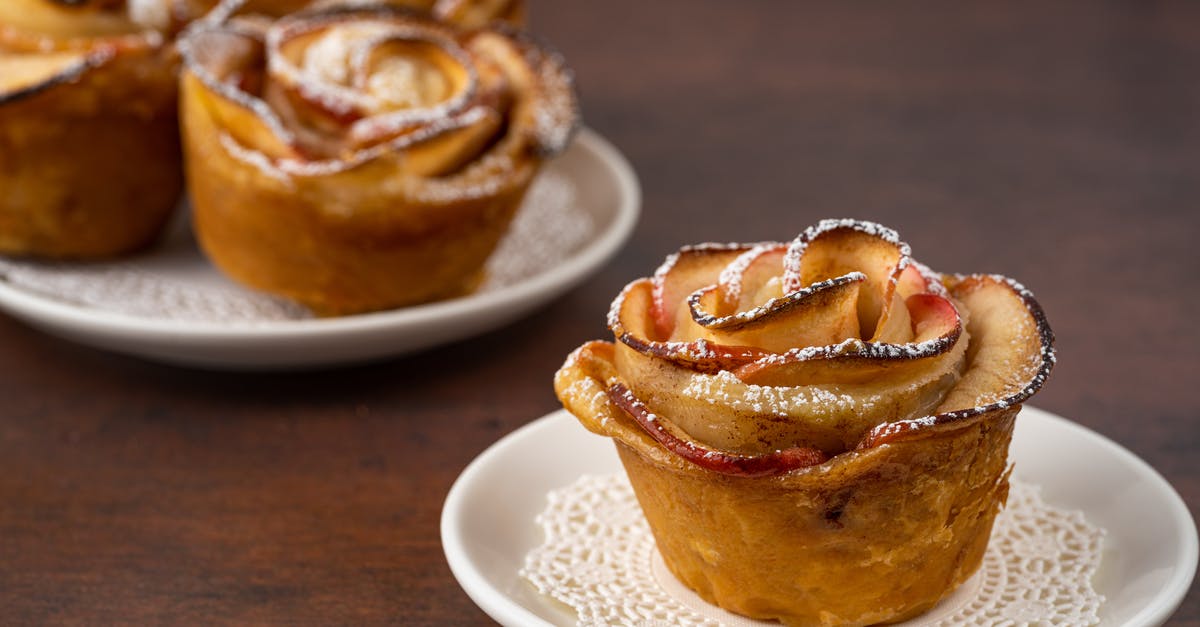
{"points": [[199, 318]]}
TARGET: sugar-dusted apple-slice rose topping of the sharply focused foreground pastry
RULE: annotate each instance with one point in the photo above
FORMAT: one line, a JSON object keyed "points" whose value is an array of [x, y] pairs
{"points": [[795, 372]]}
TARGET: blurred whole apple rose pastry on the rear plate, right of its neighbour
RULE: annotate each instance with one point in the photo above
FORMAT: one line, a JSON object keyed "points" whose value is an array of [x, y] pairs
{"points": [[361, 157]]}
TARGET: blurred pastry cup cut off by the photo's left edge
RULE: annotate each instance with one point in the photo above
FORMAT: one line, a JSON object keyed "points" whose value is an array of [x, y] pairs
{"points": [[89, 142]]}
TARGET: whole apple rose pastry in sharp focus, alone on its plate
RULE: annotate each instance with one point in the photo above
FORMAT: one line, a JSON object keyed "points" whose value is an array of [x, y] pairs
{"points": [[817, 432]]}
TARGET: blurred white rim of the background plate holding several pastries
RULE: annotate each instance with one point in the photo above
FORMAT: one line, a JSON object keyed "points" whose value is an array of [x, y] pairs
{"points": [[45, 312]]}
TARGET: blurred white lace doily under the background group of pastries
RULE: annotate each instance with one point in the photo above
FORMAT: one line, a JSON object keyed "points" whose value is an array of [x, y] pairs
{"points": [[175, 282]]}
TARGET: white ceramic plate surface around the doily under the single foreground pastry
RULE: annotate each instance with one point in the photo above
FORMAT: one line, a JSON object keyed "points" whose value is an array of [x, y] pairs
{"points": [[488, 522]]}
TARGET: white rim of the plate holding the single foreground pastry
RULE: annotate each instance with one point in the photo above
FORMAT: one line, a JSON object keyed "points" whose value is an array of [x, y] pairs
{"points": [[505, 610]]}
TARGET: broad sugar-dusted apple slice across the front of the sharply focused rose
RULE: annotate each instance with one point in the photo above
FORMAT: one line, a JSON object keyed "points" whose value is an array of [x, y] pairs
{"points": [[699, 392]]}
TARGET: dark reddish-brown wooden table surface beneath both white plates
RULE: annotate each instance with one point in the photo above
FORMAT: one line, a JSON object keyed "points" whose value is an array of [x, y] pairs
{"points": [[1054, 142]]}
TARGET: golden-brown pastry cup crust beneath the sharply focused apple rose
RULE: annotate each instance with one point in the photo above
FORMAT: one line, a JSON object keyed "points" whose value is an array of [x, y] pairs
{"points": [[872, 536]]}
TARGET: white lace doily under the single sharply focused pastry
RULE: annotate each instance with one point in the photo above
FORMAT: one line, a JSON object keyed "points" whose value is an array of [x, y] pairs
{"points": [[599, 558]]}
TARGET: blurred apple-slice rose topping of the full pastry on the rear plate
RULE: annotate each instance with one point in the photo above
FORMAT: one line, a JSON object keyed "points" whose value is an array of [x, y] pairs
{"points": [[317, 93]]}
